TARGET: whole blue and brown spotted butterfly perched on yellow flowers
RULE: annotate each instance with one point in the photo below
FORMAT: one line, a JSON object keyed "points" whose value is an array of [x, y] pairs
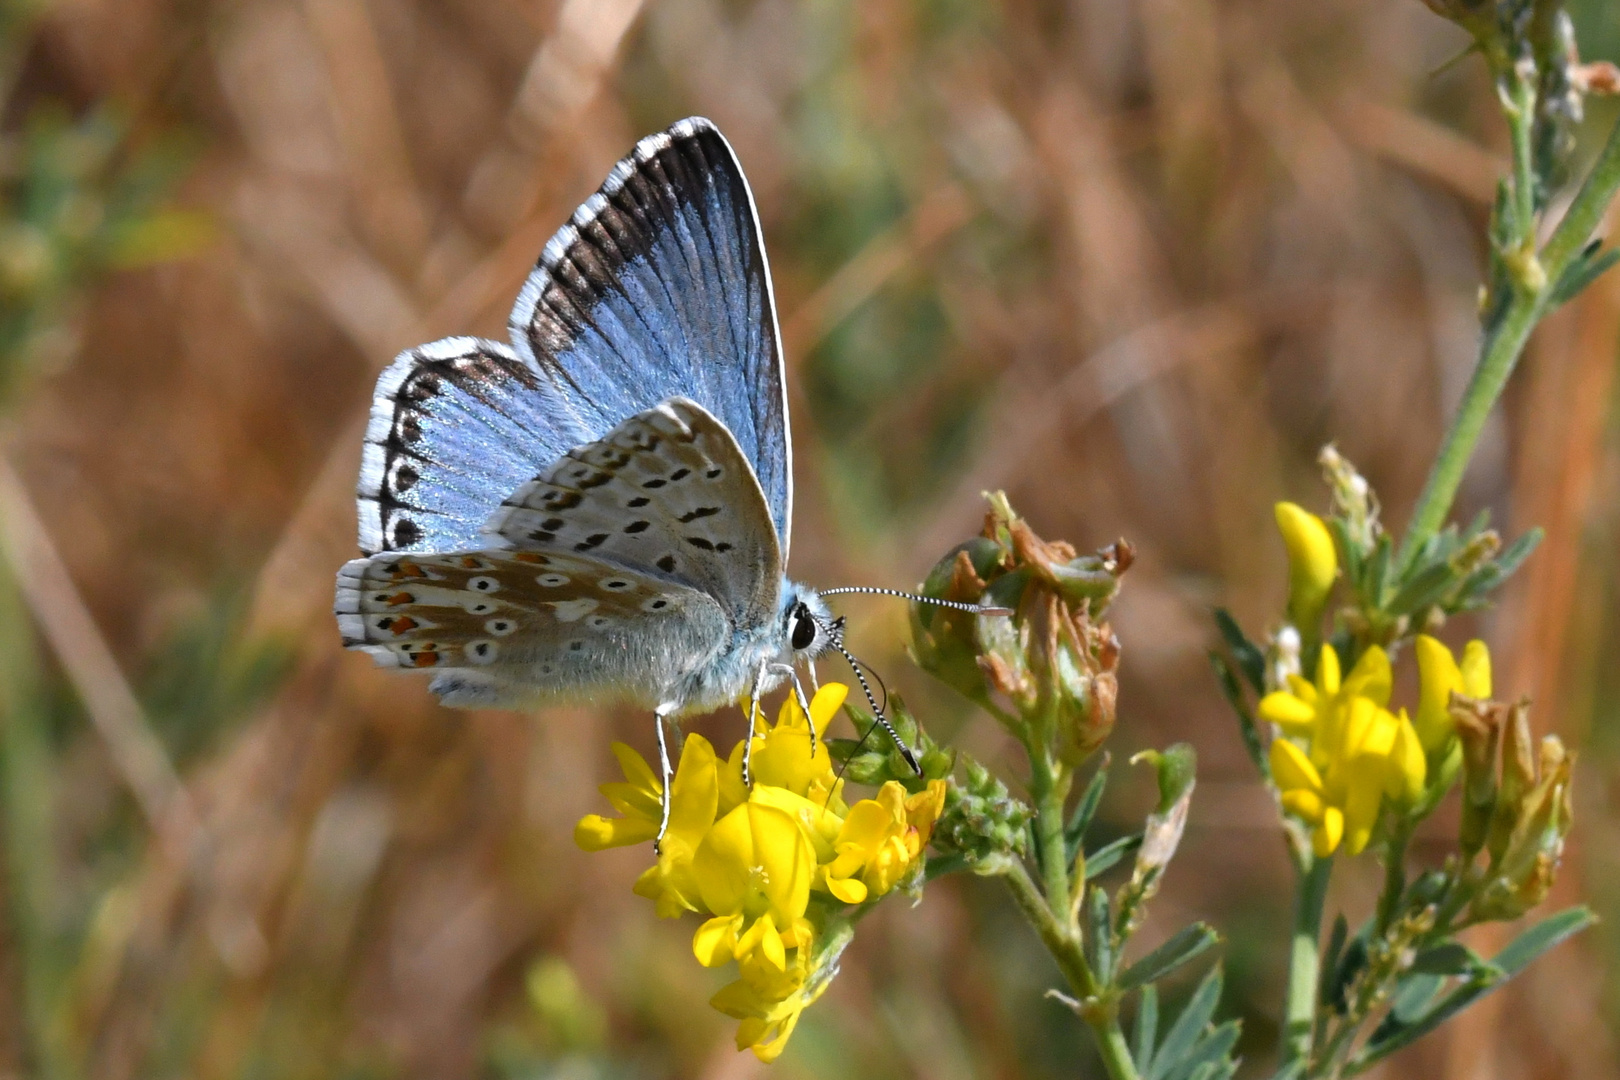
{"points": [[600, 509]]}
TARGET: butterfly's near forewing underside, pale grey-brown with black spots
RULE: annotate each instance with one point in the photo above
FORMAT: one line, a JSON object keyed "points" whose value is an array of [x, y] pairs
{"points": [[670, 493]]}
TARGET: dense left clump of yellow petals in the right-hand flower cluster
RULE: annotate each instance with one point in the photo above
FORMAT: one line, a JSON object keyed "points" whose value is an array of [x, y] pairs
{"points": [[1357, 755]]}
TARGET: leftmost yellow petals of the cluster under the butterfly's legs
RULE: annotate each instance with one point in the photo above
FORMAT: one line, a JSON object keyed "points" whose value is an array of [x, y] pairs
{"points": [[694, 796]]}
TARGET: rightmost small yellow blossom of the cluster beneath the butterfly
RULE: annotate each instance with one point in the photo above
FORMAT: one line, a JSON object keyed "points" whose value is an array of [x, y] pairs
{"points": [[880, 841]]}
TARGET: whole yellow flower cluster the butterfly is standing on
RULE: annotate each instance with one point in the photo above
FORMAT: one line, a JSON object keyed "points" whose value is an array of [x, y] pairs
{"points": [[770, 865]]}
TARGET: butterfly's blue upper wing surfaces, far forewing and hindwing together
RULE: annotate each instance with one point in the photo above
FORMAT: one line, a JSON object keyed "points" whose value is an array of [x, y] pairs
{"points": [[659, 287]]}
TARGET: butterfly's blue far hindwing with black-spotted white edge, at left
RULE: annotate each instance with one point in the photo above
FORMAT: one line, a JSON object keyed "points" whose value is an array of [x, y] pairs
{"points": [[456, 427]]}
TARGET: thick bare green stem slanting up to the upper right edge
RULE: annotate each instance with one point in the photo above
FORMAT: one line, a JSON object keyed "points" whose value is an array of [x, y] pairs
{"points": [[1506, 341]]}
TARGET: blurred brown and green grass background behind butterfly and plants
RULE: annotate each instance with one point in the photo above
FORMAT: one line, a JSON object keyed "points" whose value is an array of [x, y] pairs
{"points": [[1132, 260]]}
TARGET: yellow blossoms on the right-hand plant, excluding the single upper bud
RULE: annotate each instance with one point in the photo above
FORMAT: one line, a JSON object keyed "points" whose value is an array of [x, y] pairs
{"points": [[1342, 752]]}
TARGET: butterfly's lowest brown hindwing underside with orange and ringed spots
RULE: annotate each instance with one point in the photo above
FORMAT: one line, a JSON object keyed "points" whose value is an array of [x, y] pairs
{"points": [[521, 629]]}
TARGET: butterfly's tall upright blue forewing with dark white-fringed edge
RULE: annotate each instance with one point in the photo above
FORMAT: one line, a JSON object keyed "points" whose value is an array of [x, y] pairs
{"points": [[657, 289]]}
